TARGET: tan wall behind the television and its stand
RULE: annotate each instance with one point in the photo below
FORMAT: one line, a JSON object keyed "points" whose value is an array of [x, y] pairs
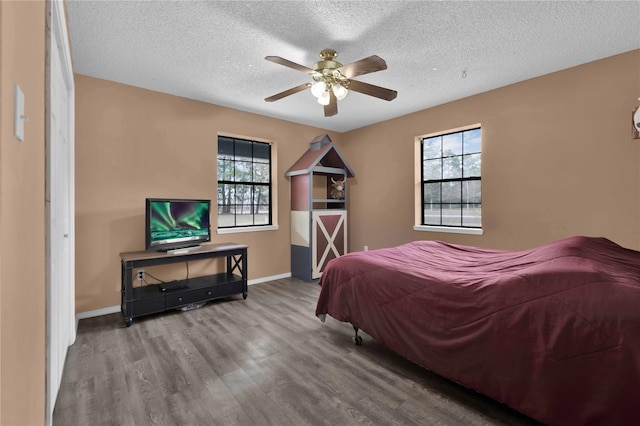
{"points": [[132, 144]]}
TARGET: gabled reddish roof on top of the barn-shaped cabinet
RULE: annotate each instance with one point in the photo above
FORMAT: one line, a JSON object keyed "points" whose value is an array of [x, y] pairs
{"points": [[322, 152]]}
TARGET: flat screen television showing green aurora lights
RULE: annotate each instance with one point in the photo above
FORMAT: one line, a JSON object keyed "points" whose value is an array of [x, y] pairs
{"points": [[176, 223]]}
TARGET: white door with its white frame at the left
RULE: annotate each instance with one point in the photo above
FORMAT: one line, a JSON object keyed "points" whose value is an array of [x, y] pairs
{"points": [[59, 202]]}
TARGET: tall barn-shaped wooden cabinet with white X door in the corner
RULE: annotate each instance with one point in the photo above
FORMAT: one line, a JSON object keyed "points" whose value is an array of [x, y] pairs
{"points": [[318, 208]]}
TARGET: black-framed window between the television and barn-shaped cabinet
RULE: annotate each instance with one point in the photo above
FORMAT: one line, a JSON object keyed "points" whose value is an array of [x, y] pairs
{"points": [[244, 183]]}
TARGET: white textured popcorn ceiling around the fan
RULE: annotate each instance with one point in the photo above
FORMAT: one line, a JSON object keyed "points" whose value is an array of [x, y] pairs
{"points": [[213, 51]]}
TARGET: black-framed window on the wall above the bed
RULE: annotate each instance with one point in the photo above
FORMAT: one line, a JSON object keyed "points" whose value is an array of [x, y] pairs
{"points": [[451, 179]]}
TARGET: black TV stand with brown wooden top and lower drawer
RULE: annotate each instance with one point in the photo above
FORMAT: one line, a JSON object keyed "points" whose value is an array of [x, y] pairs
{"points": [[154, 298]]}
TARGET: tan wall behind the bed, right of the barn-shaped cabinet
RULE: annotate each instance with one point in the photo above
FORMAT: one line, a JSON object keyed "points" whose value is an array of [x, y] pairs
{"points": [[557, 160]]}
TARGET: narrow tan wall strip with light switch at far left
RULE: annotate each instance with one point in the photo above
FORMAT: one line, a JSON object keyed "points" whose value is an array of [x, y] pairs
{"points": [[22, 217]]}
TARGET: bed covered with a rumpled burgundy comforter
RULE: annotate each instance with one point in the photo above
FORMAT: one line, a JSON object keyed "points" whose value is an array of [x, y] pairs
{"points": [[553, 331]]}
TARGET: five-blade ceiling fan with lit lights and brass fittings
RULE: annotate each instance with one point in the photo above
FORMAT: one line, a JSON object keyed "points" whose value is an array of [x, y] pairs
{"points": [[332, 80]]}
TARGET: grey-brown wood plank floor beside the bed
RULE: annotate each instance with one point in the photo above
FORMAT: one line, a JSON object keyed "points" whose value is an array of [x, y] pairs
{"points": [[266, 360]]}
